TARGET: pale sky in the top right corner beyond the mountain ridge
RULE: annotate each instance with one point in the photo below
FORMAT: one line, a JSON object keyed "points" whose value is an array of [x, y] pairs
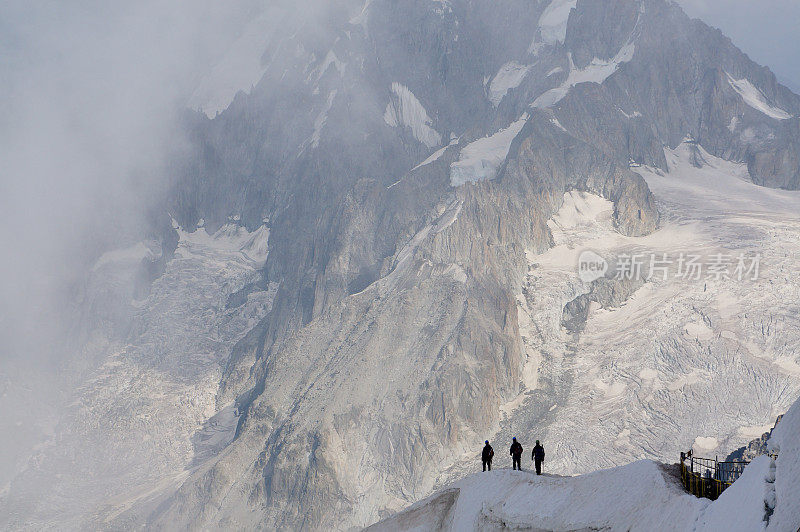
{"points": [[766, 30]]}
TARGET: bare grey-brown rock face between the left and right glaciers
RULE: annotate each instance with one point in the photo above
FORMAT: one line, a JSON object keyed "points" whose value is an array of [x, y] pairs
{"points": [[406, 157]]}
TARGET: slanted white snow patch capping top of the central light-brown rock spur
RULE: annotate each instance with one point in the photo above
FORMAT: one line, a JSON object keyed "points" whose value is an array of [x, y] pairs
{"points": [[480, 159]]}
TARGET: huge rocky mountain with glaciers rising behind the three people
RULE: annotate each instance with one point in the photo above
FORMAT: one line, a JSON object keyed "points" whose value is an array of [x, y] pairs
{"points": [[371, 266]]}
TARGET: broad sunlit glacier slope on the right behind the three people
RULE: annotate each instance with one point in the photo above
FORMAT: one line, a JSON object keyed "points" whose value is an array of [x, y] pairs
{"points": [[647, 374]]}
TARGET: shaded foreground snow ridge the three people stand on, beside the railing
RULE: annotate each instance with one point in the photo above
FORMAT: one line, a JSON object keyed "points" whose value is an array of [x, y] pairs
{"points": [[642, 495]]}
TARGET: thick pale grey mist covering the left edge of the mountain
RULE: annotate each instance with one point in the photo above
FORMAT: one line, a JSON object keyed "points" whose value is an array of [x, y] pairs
{"points": [[92, 94]]}
